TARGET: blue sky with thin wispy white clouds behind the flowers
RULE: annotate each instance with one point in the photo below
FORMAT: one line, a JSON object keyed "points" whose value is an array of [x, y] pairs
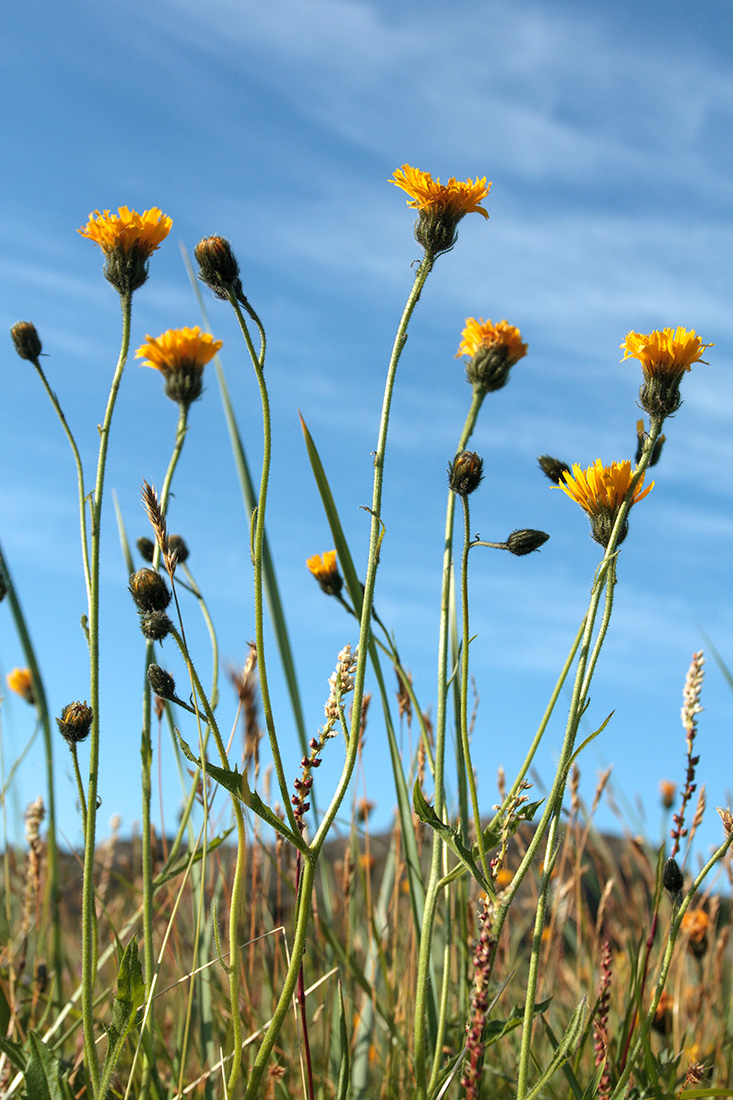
{"points": [[607, 133]]}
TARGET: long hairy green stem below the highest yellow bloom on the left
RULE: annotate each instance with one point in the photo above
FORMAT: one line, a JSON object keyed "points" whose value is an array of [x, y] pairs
{"points": [[89, 917]]}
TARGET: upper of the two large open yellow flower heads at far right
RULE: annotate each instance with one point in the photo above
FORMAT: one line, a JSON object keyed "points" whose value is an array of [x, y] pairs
{"points": [[665, 356]]}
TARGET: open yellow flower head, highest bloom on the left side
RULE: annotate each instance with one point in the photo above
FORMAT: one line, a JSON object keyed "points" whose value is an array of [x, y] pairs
{"points": [[128, 240]]}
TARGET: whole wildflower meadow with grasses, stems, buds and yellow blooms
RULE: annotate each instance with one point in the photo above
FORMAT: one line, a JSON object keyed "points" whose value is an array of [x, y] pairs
{"points": [[267, 951]]}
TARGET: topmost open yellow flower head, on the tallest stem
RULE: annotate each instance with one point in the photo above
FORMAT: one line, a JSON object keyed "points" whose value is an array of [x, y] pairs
{"points": [[441, 206]]}
